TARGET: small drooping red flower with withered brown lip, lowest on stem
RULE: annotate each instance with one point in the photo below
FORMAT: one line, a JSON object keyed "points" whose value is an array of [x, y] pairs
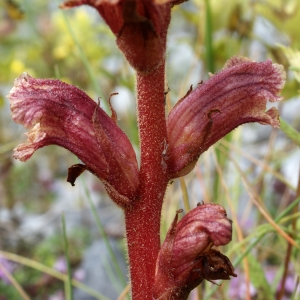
{"points": [[186, 257]]}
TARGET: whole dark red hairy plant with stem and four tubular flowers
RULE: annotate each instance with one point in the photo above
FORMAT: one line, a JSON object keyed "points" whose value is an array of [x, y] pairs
{"points": [[61, 114]]}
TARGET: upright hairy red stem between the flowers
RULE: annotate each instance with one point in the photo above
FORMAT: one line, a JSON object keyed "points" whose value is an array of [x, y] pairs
{"points": [[143, 218]]}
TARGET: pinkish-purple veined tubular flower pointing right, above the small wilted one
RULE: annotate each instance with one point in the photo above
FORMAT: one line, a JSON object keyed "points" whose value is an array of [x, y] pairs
{"points": [[236, 95]]}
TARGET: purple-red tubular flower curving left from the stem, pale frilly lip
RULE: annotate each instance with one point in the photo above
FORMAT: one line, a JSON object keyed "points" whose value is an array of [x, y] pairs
{"points": [[61, 114]]}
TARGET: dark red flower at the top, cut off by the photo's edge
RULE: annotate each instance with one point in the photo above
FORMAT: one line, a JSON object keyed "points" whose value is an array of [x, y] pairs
{"points": [[140, 28]]}
